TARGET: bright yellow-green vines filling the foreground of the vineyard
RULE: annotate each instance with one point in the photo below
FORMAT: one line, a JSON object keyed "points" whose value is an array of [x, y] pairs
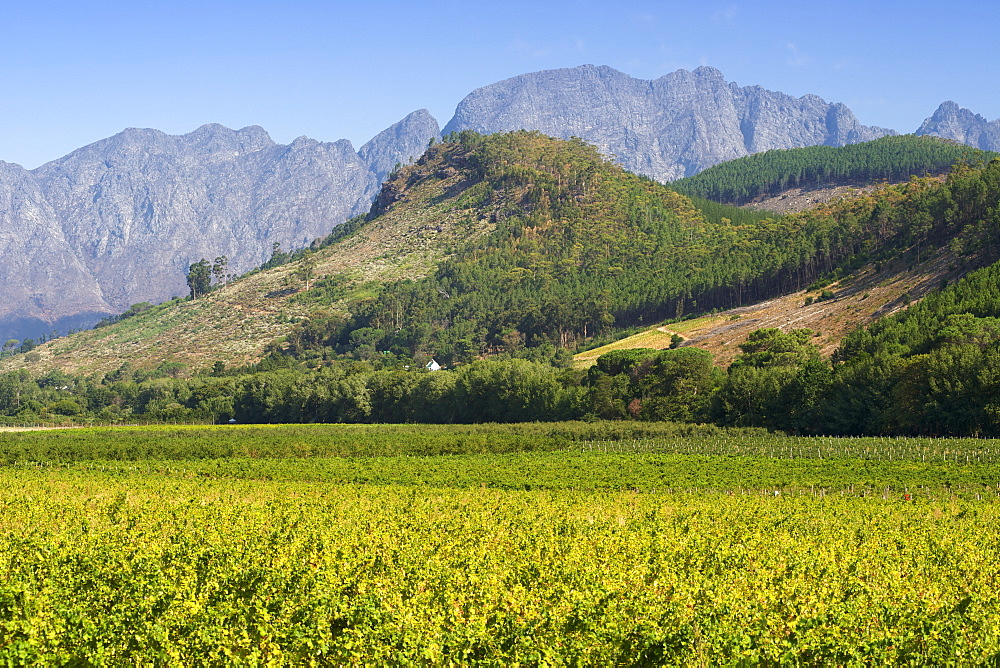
{"points": [[205, 572]]}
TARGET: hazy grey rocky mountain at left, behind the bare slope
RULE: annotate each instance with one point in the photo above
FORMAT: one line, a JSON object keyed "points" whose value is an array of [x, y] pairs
{"points": [[120, 221]]}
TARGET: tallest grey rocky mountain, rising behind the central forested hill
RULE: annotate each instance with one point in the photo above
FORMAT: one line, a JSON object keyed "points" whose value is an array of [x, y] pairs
{"points": [[668, 128]]}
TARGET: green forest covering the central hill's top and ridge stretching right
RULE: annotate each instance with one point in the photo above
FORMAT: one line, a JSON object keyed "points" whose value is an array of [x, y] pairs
{"points": [[581, 246]]}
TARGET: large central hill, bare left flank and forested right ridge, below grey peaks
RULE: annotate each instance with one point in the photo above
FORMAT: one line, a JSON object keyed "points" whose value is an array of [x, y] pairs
{"points": [[519, 243]]}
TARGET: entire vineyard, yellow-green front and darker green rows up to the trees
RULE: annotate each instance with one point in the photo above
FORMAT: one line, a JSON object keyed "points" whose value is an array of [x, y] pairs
{"points": [[566, 543]]}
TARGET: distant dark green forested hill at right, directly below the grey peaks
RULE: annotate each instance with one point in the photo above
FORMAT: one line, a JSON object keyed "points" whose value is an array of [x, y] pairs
{"points": [[772, 172]]}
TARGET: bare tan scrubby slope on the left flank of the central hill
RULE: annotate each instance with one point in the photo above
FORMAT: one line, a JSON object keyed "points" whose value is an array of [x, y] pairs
{"points": [[235, 323]]}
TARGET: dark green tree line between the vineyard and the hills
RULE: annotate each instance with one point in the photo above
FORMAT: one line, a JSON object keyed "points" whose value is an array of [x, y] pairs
{"points": [[933, 369]]}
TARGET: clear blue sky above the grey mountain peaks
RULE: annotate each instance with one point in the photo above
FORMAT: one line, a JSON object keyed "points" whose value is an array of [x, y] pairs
{"points": [[75, 72]]}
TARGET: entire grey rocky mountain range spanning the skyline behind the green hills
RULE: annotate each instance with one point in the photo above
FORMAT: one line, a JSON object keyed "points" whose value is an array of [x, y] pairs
{"points": [[119, 221]]}
